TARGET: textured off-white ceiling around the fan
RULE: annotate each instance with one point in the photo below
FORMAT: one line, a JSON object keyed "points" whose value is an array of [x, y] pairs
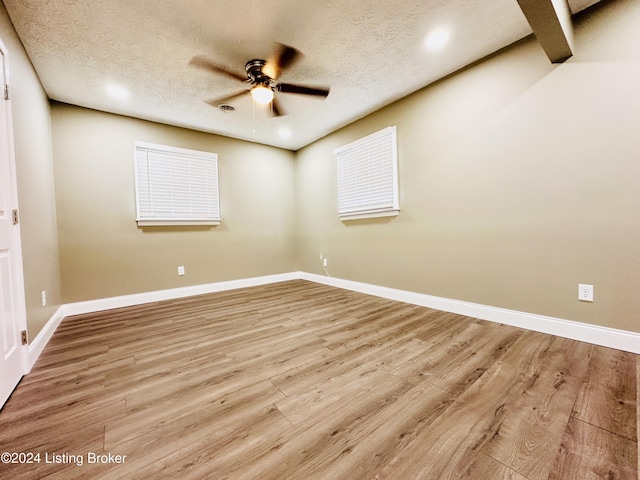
{"points": [[370, 52]]}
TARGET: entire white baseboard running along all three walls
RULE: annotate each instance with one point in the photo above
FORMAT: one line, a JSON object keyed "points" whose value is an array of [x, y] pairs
{"points": [[606, 337]]}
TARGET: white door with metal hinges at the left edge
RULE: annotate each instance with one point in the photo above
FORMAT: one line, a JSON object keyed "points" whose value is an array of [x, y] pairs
{"points": [[12, 310]]}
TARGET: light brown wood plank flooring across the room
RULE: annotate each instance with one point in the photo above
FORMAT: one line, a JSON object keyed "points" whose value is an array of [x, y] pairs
{"points": [[302, 381]]}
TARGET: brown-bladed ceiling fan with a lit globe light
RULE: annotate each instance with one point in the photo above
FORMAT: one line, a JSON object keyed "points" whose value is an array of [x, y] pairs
{"points": [[262, 75]]}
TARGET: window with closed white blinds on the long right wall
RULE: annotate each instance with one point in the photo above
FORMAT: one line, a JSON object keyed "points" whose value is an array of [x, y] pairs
{"points": [[368, 177]]}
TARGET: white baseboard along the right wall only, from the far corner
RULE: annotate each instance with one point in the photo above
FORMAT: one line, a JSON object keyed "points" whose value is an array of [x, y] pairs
{"points": [[597, 335]]}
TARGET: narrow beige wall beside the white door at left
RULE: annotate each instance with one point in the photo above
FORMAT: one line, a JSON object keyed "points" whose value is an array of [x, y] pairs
{"points": [[32, 138]]}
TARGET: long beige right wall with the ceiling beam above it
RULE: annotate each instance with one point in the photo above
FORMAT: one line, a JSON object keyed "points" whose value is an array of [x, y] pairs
{"points": [[518, 180]]}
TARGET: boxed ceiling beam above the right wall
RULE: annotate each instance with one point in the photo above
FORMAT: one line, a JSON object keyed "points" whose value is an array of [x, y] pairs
{"points": [[551, 24]]}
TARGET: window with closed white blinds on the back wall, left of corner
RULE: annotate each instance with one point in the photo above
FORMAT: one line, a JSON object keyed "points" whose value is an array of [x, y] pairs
{"points": [[175, 186]]}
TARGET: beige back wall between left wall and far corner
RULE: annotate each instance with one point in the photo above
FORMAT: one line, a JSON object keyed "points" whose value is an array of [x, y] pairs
{"points": [[103, 252]]}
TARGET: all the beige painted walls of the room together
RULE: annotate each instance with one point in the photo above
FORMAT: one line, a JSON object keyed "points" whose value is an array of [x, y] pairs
{"points": [[518, 181]]}
